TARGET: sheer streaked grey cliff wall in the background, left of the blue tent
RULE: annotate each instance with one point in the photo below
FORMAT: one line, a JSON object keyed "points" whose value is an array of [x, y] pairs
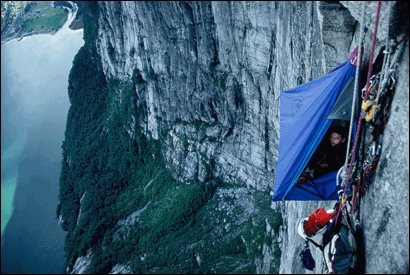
{"points": [[220, 65]]}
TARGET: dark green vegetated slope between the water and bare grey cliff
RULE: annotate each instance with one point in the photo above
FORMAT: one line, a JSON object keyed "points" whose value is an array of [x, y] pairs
{"points": [[133, 212]]}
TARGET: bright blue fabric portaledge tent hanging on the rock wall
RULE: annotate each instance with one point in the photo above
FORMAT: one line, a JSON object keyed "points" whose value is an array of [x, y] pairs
{"points": [[304, 121]]}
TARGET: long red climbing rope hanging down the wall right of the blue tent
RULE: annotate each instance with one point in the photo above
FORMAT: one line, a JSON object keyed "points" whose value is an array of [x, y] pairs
{"points": [[362, 113]]}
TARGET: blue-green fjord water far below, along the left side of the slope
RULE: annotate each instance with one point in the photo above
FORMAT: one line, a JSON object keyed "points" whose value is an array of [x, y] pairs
{"points": [[34, 106]]}
